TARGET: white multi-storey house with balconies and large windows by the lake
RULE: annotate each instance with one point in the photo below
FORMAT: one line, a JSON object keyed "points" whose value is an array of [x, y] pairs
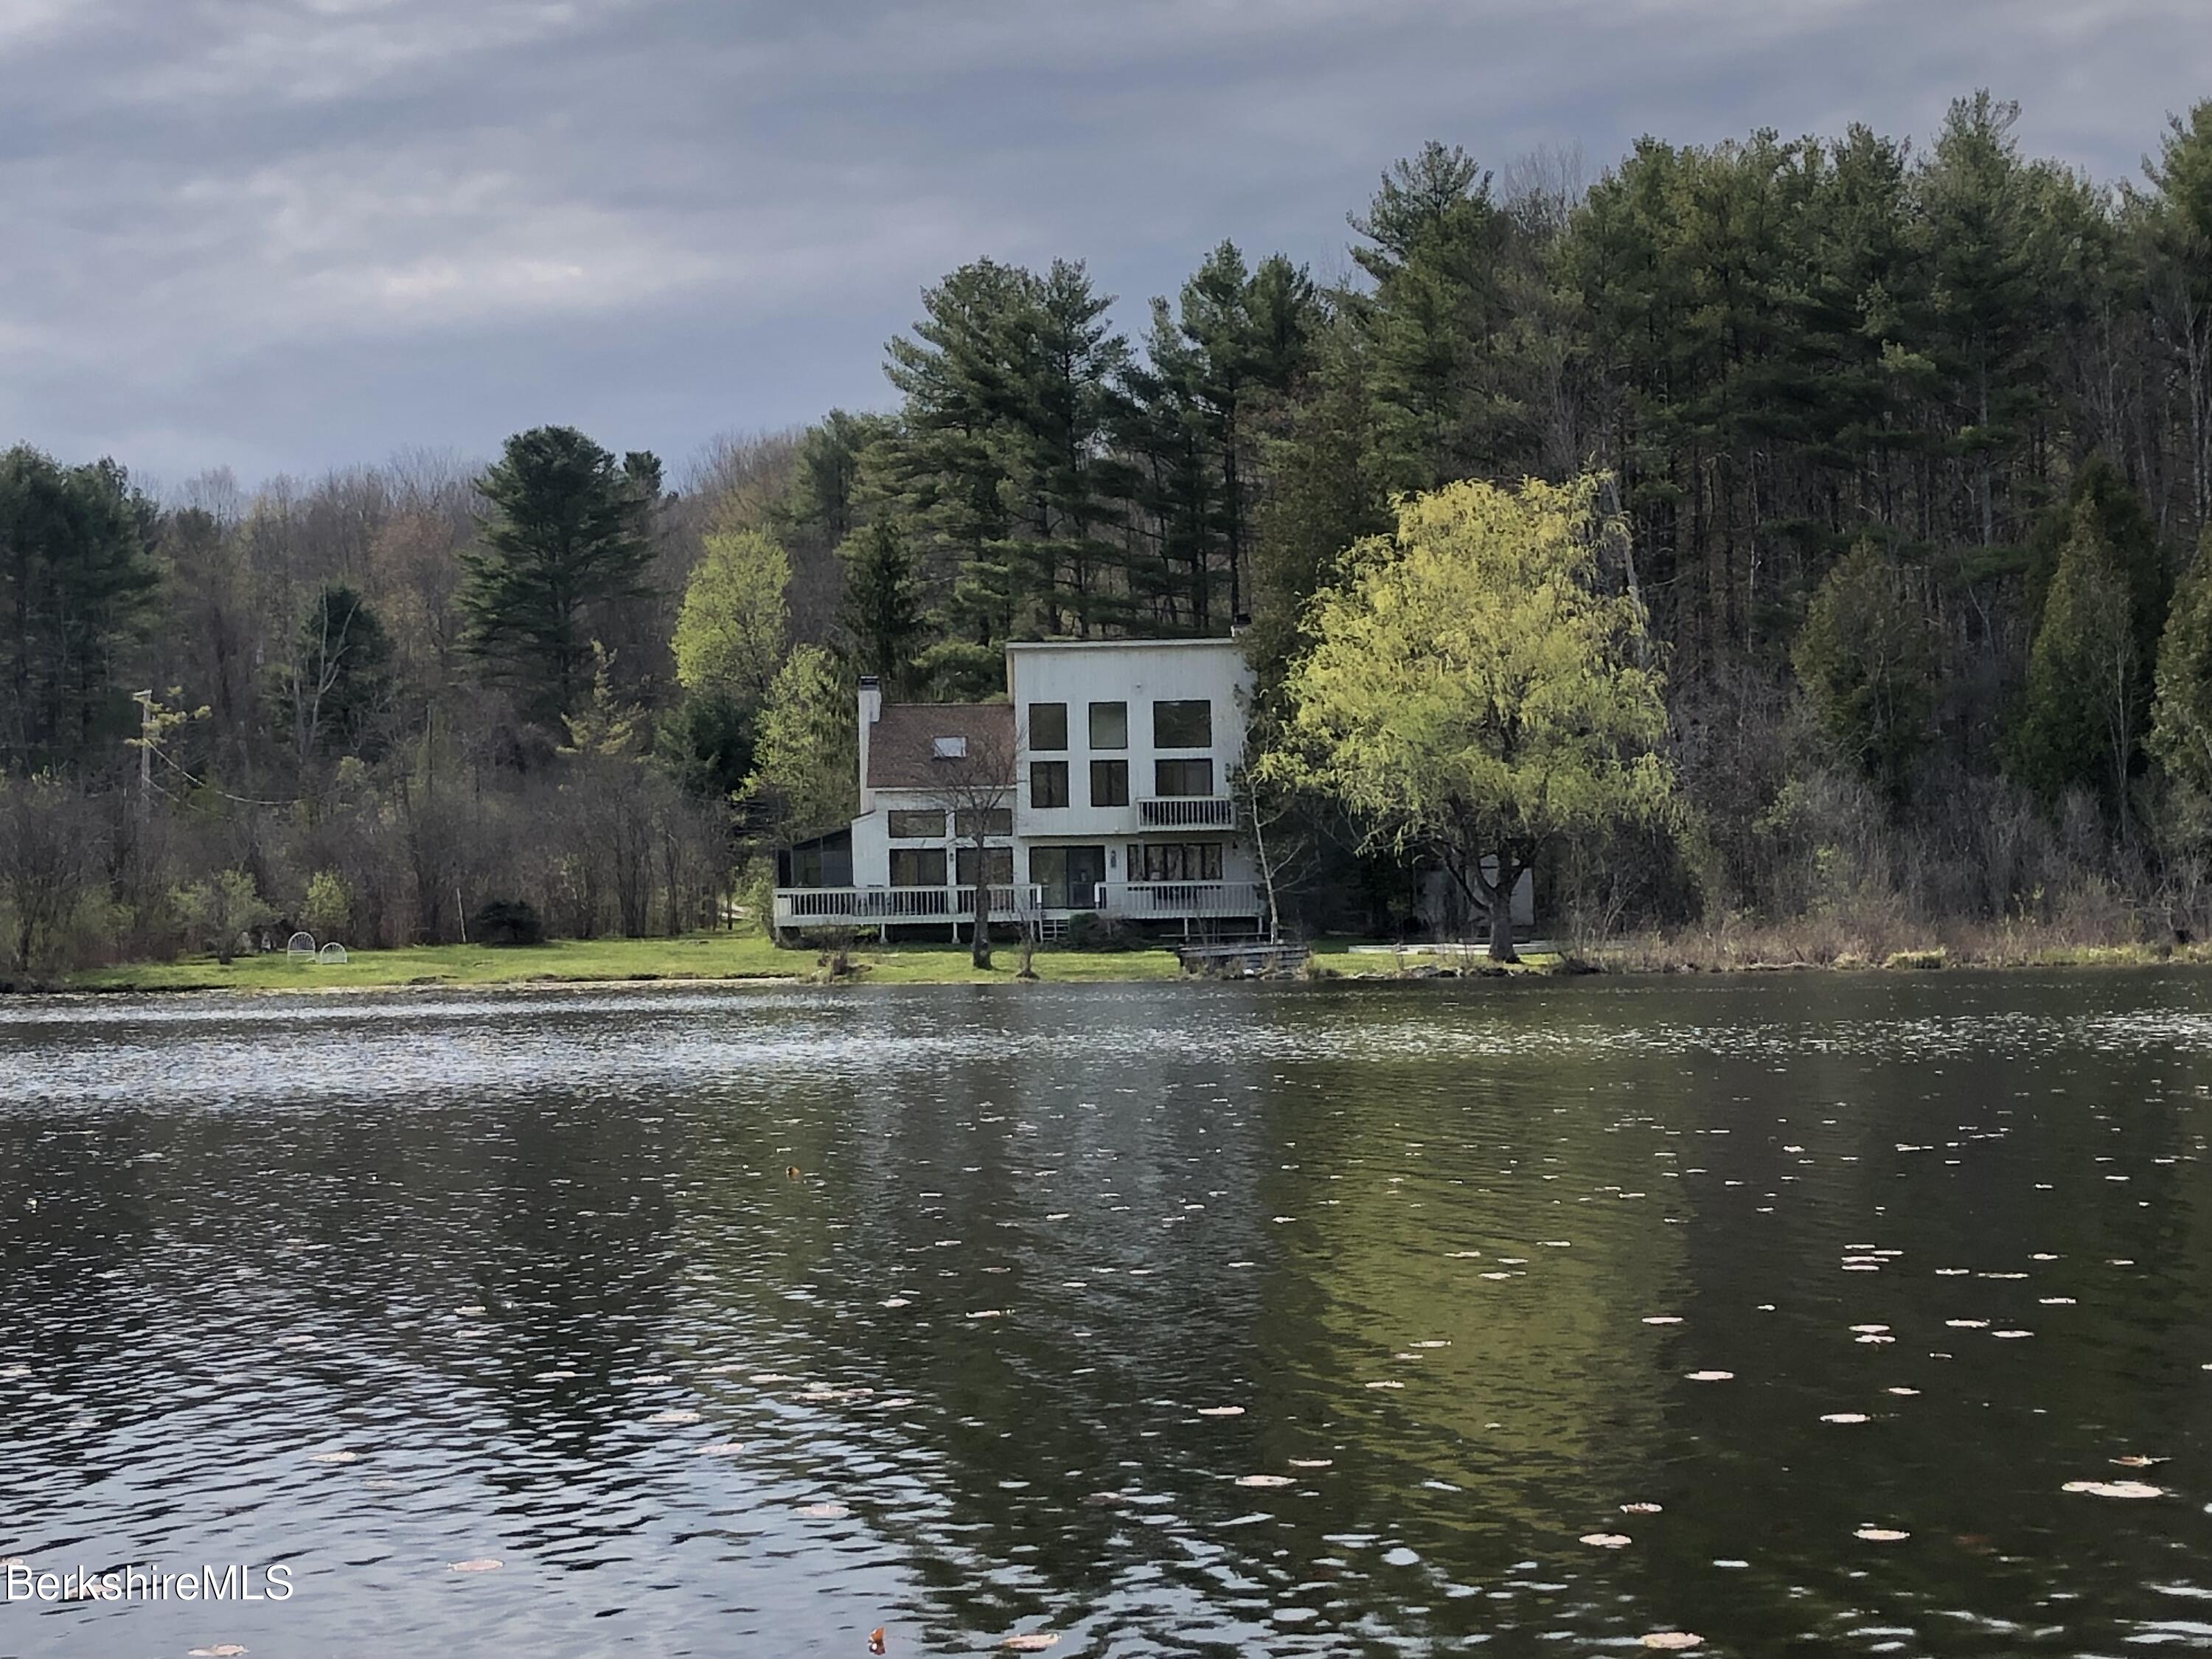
{"points": [[1103, 786]]}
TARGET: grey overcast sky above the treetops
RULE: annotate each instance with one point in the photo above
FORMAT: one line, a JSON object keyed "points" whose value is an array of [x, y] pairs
{"points": [[289, 236]]}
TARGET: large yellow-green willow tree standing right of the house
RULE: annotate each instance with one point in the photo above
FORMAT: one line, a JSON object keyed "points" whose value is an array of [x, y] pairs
{"points": [[1472, 693]]}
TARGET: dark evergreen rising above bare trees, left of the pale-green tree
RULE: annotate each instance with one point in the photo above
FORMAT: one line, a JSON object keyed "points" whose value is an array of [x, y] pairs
{"points": [[565, 534]]}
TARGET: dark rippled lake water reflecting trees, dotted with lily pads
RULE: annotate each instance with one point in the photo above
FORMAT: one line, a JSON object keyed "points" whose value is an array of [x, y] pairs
{"points": [[1280, 1319]]}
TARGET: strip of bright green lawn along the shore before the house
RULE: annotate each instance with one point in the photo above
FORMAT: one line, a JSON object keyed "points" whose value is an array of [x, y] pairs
{"points": [[698, 957]]}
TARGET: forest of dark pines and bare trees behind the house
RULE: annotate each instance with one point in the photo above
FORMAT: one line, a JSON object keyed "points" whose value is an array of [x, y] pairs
{"points": [[1908, 448]]}
